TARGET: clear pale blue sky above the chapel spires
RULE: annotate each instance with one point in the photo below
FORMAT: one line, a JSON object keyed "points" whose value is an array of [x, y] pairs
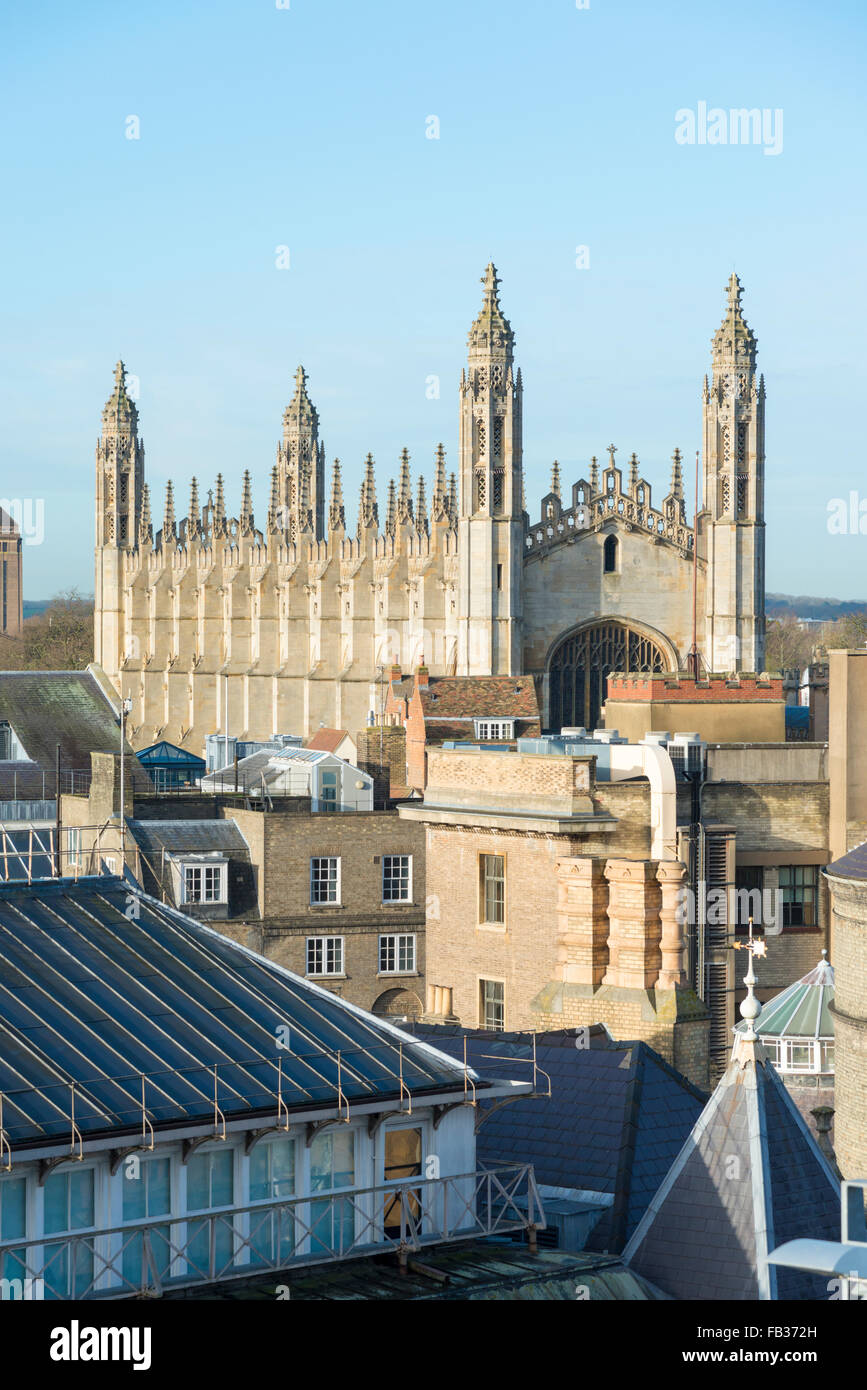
{"points": [[306, 127]]}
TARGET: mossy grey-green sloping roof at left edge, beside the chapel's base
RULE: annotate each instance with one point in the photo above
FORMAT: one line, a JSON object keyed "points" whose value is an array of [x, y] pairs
{"points": [[49, 708]]}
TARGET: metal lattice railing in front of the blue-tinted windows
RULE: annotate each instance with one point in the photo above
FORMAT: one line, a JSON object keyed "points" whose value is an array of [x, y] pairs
{"points": [[213, 1248]]}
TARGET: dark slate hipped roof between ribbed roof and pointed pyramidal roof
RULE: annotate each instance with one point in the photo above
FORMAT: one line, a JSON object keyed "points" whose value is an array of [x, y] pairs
{"points": [[616, 1120]]}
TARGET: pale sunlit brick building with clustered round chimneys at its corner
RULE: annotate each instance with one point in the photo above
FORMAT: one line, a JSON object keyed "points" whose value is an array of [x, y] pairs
{"points": [[545, 910]]}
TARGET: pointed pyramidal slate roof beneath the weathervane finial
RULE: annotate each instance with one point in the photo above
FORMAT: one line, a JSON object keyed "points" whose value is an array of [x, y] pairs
{"points": [[750, 1178]]}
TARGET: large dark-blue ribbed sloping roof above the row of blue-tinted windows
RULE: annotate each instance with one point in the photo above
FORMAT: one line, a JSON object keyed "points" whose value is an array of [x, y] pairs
{"points": [[97, 996]]}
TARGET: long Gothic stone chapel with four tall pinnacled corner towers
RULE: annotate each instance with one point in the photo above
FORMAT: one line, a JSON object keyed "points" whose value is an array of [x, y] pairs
{"points": [[210, 622]]}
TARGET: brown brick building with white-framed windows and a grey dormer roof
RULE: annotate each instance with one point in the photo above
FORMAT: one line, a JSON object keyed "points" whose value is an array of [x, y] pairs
{"points": [[336, 897]]}
